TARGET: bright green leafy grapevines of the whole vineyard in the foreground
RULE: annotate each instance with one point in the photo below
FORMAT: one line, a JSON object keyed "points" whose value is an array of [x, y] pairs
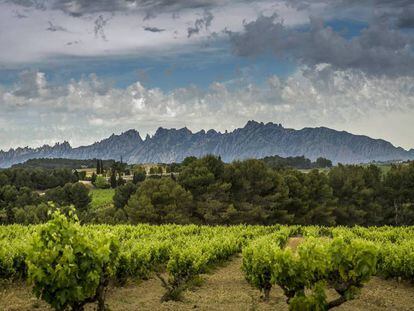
{"points": [[70, 266]]}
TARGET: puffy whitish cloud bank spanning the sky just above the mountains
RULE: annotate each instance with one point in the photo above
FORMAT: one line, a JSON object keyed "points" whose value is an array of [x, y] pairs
{"points": [[88, 109]]}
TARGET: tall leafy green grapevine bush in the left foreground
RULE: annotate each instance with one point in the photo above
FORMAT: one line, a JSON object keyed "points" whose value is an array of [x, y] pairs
{"points": [[69, 268]]}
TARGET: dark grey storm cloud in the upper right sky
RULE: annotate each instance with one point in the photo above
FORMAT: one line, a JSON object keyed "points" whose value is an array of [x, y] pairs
{"points": [[378, 49]]}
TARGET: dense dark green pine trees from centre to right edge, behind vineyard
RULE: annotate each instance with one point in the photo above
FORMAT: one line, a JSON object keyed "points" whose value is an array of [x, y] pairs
{"points": [[208, 191]]}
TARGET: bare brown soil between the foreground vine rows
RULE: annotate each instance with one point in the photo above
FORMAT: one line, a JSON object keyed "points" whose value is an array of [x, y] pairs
{"points": [[224, 288]]}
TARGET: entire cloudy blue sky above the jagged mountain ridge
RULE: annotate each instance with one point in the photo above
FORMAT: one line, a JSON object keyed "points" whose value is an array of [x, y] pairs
{"points": [[80, 70]]}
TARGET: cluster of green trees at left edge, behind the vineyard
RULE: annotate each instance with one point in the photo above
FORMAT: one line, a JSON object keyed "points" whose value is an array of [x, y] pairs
{"points": [[25, 193]]}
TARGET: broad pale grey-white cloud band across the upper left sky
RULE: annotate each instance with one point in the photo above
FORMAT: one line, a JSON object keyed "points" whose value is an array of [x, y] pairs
{"points": [[52, 32]]}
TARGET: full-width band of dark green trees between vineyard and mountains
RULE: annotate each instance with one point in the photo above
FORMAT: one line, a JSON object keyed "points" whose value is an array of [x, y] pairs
{"points": [[209, 191]]}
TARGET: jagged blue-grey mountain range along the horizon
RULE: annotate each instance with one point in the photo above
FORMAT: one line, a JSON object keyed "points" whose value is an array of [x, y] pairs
{"points": [[254, 140]]}
